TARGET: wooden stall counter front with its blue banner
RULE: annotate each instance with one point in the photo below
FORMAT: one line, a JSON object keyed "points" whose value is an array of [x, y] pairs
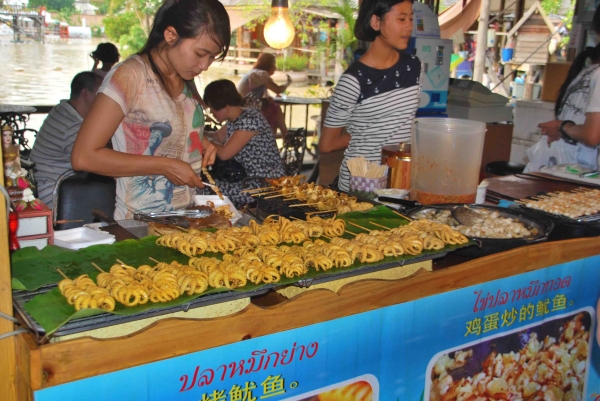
{"points": [[359, 336]]}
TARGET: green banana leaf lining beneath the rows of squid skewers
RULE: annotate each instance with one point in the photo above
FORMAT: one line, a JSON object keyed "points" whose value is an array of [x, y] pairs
{"points": [[33, 268]]}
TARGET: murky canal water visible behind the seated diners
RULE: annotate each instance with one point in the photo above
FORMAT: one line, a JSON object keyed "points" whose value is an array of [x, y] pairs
{"points": [[41, 74]]}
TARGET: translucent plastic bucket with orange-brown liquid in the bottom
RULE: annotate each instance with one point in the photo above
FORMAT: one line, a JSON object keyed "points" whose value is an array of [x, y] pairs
{"points": [[446, 160]]}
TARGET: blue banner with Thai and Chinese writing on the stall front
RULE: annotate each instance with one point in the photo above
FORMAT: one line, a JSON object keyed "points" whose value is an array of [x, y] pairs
{"points": [[530, 335]]}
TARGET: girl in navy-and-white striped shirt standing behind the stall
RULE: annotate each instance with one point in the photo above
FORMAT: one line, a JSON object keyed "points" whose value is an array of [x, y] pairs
{"points": [[375, 100]]}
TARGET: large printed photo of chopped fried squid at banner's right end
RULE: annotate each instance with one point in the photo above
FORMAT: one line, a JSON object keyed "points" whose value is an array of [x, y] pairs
{"points": [[547, 360]]}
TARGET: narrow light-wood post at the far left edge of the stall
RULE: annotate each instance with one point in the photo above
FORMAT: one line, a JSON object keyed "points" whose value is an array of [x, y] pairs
{"points": [[8, 368]]}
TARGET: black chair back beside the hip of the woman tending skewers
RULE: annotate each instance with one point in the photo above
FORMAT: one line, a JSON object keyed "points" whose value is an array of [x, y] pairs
{"points": [[77, 193]]}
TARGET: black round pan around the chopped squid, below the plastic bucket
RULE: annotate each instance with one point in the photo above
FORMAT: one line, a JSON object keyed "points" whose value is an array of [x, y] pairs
{"points": [[542, 225]]}
